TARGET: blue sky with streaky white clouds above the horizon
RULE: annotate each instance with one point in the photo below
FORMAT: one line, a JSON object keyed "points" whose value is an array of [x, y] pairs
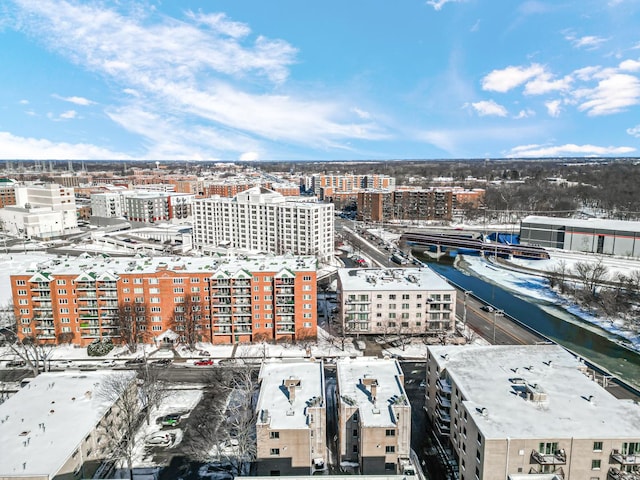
{"points": [[305, 80]]}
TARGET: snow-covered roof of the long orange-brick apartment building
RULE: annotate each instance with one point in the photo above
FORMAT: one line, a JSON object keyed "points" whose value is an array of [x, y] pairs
{"points": [[180, 265]]}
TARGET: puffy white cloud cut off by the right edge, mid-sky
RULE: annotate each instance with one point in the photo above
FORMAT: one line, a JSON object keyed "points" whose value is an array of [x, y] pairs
{"points": [[612, 95]]}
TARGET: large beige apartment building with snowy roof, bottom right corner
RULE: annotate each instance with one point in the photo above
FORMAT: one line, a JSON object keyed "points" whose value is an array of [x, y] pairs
{"points": [[512, 411]]}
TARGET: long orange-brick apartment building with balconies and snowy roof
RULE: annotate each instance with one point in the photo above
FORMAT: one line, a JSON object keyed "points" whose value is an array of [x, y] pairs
{"points": [[223, 300]]}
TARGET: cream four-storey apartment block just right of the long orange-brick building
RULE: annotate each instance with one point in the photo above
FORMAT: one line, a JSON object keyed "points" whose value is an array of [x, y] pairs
{"points": [[401, 301]]}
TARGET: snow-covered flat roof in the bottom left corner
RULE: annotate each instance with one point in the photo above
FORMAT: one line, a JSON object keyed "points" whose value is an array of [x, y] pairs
{"points": [[45, 422]]}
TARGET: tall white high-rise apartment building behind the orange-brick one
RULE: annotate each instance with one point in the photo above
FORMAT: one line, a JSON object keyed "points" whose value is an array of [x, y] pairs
{"points": [[262, 220]]}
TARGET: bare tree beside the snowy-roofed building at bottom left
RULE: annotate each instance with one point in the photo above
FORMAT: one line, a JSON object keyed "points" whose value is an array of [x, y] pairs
{"points": [[121, 390]]}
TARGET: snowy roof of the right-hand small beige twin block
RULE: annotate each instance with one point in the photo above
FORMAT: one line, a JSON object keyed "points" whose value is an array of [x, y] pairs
{"points": [[352, 374]]}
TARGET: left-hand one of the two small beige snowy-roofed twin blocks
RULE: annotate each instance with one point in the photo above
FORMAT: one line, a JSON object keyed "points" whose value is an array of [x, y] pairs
{"points": [[291, 418]]}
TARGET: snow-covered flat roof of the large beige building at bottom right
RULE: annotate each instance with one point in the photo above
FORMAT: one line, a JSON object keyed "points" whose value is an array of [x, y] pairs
{"points": [[493, 380]]}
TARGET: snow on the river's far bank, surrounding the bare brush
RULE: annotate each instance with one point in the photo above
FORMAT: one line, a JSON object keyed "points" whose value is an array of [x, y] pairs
{"points": [[537, 287]]}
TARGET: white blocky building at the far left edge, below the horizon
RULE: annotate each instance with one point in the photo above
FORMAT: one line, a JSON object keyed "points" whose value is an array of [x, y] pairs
{"points": [[41, 211]]}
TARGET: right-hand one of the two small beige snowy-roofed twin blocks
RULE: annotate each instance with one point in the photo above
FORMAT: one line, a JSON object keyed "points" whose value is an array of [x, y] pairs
{"points": [[374, 415]]}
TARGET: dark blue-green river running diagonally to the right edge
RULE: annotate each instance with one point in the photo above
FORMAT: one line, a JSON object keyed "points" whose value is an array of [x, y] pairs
{"points": [[566, 329]]}
